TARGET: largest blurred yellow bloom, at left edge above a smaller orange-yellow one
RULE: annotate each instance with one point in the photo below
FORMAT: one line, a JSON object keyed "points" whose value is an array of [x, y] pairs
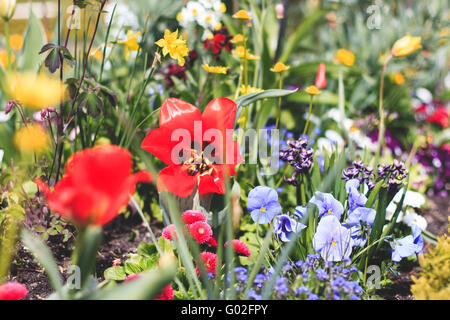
{"points": [[35, 91]]}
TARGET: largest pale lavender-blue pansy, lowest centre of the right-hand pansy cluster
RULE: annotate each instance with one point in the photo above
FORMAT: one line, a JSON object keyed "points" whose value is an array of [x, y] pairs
{"points": [[332, 240]]}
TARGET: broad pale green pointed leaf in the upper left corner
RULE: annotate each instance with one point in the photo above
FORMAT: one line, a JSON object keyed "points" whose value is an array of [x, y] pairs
{"points": [[34, 40]]}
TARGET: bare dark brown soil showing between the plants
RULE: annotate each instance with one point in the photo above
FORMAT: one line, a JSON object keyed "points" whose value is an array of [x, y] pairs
{"points": [[122, 236]]}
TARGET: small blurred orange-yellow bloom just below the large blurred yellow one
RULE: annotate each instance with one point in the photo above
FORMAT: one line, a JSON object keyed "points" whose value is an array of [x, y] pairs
{"points": [[32, 139]]}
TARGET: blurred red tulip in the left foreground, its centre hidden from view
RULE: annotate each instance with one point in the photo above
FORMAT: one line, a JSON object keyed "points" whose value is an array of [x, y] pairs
{"points": [[96, 185]]}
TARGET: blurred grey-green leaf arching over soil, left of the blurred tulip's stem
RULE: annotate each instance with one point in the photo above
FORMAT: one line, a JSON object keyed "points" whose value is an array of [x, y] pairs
{"points": [[45, 258]]}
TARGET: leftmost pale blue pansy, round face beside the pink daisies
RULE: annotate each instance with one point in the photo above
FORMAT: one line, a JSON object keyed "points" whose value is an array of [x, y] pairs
{"points": [[263, 204]]}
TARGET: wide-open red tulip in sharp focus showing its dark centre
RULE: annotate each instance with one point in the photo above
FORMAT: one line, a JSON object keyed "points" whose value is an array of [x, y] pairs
{"points": [[205, 156]]}
